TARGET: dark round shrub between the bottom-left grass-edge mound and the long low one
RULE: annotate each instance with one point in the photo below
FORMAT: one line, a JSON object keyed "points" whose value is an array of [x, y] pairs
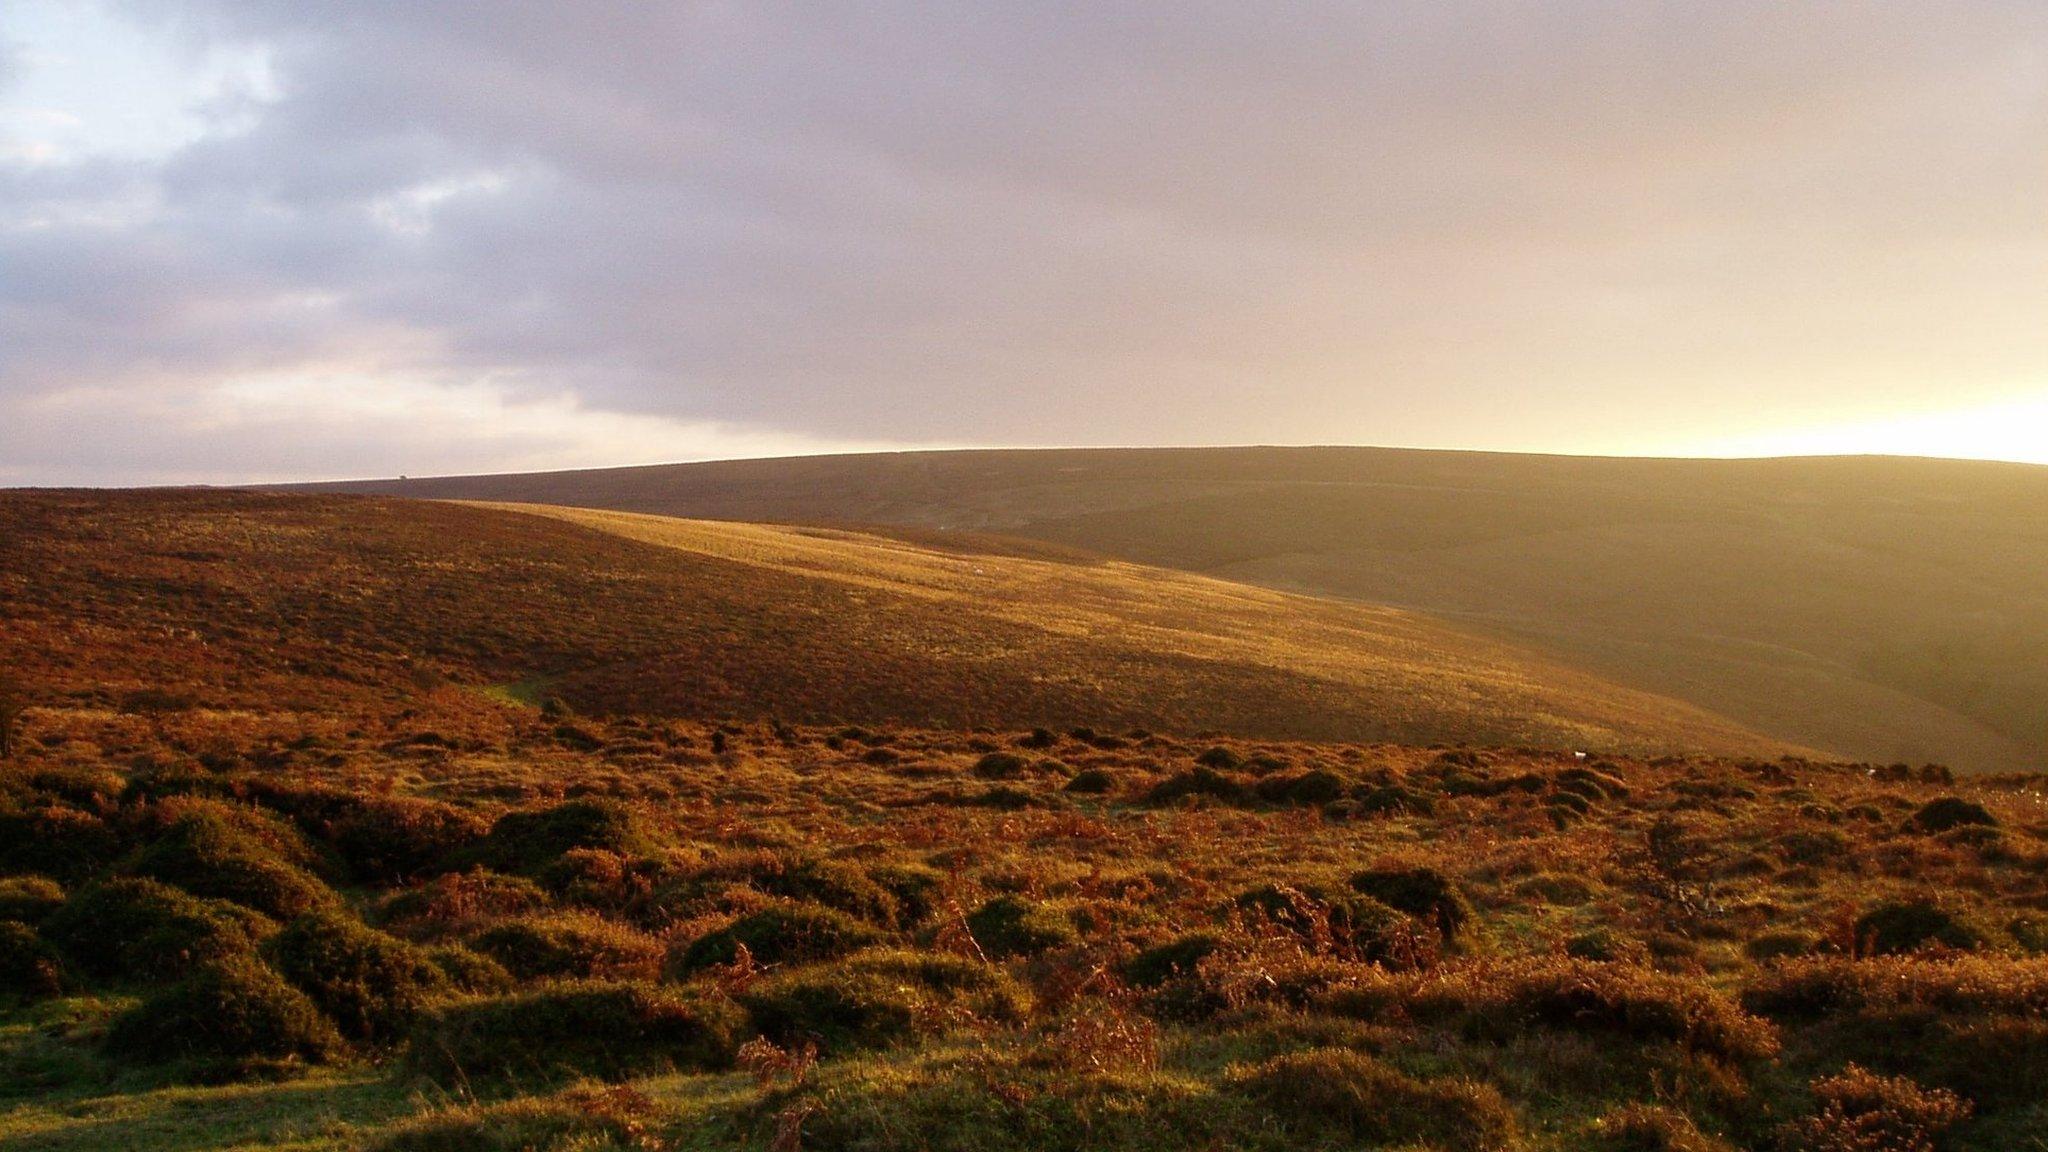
{"points": [[372, 985]]}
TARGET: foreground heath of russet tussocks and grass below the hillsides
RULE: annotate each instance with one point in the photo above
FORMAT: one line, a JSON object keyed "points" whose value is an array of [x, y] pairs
{"points": [[478, 925]]}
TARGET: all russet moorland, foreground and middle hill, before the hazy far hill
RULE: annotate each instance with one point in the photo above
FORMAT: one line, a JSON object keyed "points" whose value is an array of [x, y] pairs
{"points": [[359, 823]]}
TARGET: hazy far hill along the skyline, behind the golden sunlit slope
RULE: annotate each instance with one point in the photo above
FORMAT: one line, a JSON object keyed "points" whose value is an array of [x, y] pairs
{"points": [[1889, 610]]}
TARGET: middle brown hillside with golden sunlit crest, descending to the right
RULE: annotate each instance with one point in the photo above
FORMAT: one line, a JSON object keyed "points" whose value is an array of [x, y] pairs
{"points": [[292, 602]]}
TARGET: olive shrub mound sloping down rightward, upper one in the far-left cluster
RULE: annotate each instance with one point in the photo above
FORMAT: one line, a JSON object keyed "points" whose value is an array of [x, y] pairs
{"points": [[210, 856]]}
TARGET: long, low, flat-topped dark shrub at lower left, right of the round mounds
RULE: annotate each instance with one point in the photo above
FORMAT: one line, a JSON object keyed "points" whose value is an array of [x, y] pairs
{"points": [[599, 1030]]}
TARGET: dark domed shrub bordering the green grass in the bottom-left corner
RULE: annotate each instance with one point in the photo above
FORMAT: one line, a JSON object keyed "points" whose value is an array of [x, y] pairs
{"points": [[230, 1014]]}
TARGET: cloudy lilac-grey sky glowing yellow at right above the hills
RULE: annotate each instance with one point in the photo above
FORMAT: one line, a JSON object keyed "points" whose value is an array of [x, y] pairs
{"points": [[269, 241]]}
